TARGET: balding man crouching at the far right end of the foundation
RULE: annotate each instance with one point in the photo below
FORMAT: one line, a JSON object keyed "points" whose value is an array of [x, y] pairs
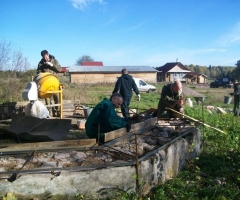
{"points": [[171, 97]]}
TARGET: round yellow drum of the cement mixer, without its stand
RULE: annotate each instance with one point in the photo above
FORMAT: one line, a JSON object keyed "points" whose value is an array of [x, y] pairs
{"points": [[46, 82]]}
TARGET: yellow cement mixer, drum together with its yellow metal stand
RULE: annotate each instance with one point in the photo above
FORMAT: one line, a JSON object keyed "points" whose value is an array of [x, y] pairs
{"points": [[48, 85]]}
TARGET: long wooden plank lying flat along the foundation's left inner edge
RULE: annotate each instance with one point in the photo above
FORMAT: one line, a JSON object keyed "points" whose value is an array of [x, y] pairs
{"points": [[56, 145]]}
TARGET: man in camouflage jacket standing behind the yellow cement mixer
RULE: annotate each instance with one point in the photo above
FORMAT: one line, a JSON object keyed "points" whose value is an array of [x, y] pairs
{"points": [[49, 63]]}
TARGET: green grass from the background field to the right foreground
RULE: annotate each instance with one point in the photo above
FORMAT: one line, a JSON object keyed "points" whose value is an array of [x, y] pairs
{"points": [[215, 174]]}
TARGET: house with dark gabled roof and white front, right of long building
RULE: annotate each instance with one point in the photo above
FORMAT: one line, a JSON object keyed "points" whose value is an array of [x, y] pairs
{"points": [[172, 71]]}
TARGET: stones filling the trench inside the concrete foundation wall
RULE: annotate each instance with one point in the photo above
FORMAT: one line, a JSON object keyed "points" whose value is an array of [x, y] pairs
{"points": [[126, 151]]}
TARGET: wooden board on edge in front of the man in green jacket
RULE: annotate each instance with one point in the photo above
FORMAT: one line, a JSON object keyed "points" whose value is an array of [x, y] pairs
{"points": [[122, 131]]}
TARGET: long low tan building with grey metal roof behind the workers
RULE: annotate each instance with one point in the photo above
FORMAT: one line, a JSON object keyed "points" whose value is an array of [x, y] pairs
{"points": [[104, 74]]}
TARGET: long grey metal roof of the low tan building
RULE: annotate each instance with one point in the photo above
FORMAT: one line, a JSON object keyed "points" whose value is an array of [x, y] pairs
{"points": [[105, 69]]}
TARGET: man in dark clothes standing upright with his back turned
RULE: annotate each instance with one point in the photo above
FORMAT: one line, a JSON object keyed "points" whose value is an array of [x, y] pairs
{"points": [[126, 84]]}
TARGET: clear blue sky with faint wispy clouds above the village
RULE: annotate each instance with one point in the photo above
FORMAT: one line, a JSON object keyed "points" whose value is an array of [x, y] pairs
{"points": [[125, 32]]}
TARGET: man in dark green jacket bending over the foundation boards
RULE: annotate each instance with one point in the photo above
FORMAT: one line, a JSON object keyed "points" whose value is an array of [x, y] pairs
{"points": [[105, 116]]}
